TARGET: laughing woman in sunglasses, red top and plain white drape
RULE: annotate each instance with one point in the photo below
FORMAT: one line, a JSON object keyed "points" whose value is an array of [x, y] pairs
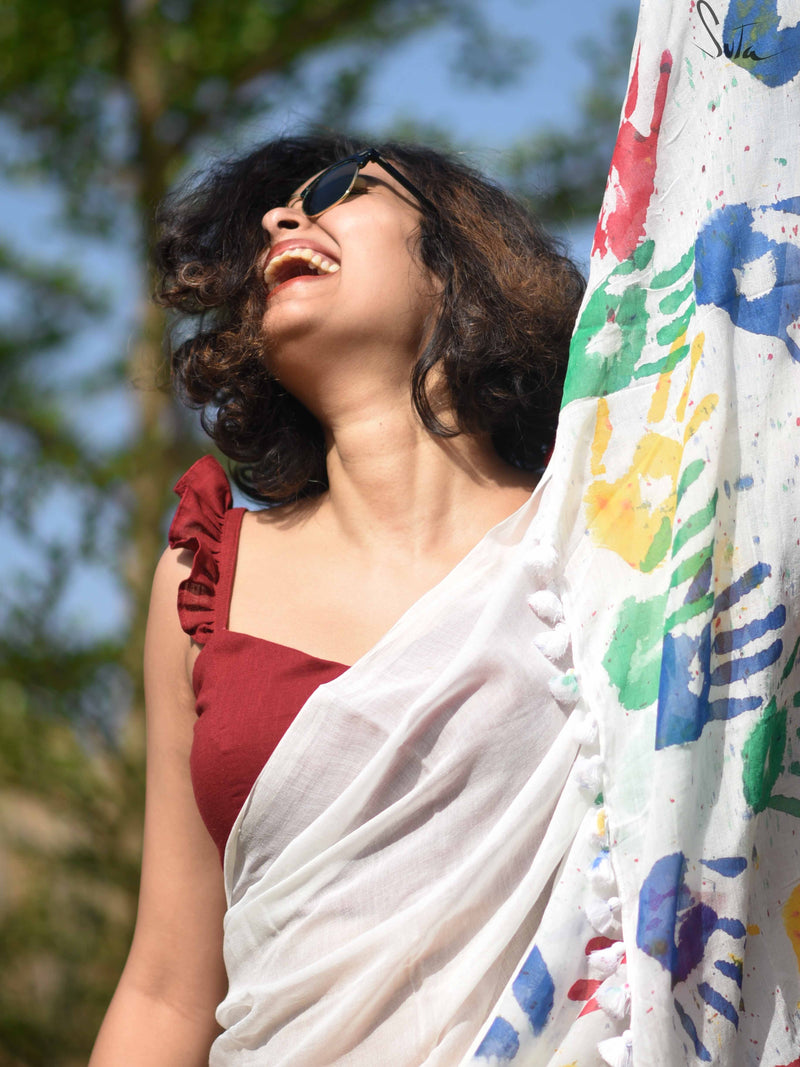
{"points": [[382, 351]]}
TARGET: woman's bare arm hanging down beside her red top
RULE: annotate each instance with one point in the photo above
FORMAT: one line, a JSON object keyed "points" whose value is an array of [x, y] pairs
{"points": [[164, 1010]]}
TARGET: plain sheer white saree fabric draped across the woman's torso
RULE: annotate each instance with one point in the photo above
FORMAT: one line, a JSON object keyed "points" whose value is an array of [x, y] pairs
{"points": [[393, 862]]}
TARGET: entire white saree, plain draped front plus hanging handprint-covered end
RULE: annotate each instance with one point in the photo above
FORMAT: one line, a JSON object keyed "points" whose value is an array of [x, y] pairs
{"points": [[553, 819]]}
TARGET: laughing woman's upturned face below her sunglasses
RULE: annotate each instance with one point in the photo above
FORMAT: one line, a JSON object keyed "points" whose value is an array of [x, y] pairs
{"points": [[367, 296]]}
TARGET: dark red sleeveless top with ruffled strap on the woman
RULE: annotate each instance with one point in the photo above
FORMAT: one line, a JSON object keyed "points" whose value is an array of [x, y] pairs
{"points": [[248, 690]]}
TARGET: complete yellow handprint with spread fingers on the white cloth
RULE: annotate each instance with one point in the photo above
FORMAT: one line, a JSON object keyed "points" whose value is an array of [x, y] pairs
{"points": [[633, 516]]}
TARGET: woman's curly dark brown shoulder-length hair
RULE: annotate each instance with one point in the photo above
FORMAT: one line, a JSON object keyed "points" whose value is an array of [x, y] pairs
{"points": [[501, 342]]}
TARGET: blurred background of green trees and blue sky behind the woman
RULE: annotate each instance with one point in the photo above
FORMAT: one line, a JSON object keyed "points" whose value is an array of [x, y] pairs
{"points": [[104, 106]]}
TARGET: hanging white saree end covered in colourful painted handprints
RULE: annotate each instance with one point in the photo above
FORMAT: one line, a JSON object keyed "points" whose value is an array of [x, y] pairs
{"points": [[674, 505]]}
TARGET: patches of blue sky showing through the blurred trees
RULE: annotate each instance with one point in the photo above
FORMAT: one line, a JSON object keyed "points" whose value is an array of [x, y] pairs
{"points": [[414, 83]]}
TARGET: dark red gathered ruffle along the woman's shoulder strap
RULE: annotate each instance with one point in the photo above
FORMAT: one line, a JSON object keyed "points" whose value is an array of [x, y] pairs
{"points": [[199, 525]]}
